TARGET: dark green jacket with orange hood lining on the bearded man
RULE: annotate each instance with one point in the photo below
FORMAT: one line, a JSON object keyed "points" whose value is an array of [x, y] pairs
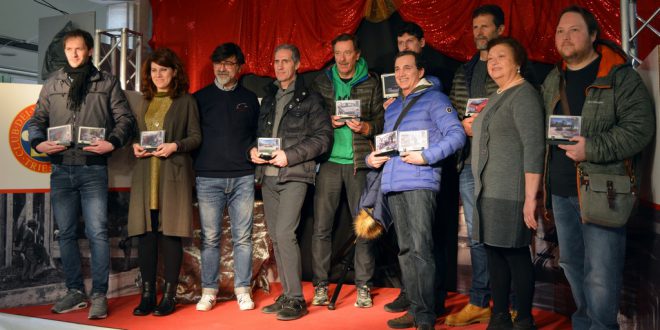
{"points": [[617, 116]]}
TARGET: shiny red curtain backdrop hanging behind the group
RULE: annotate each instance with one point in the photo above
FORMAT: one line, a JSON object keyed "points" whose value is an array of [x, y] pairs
{"points": [[194, 28]]}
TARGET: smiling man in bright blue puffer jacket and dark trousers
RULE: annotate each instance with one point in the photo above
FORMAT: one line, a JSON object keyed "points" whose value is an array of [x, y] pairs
{"points": [[411, 180]]}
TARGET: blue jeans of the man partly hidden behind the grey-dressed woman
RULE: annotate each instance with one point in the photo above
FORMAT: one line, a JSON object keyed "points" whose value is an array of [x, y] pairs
{"points": [[480, 290]]}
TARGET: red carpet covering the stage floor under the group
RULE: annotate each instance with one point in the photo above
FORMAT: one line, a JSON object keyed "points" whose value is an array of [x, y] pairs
{"points": [[226, 315]]}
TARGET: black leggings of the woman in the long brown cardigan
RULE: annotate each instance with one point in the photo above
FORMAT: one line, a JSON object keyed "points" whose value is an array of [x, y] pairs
{"points": [[148, 253]]}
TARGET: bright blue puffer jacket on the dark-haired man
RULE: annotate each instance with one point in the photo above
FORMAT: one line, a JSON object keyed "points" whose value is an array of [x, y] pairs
{"points": [[432, 112]]}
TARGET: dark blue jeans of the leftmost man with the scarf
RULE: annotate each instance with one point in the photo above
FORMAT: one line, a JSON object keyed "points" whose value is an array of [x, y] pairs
{"points": [[82, 187]]}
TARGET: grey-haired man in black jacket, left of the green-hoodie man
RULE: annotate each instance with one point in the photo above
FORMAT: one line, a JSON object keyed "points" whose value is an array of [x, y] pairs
{"points": [[296, 116]]}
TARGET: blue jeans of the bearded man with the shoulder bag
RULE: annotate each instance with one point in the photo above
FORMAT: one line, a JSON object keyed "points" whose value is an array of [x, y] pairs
{"points": [[592, 257]]}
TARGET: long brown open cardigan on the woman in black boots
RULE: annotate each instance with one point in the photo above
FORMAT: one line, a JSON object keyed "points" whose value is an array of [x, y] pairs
{"points": [[181, 125]]}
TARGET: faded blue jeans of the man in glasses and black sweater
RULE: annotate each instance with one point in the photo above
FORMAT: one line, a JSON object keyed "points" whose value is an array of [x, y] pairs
{"points": [[237, 194]]}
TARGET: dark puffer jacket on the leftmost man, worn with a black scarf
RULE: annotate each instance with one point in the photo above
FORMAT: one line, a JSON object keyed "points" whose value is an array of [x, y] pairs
{"points": [[105, 106]]}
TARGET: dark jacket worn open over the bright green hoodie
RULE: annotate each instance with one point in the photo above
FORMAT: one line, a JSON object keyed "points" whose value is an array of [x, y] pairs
{"points": [[370, 93]]}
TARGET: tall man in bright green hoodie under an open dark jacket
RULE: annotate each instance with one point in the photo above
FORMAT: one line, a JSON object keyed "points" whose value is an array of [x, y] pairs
{"points": [[346, 80]]}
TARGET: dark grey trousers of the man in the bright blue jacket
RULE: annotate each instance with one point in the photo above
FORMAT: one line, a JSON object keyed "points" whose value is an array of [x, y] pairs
{"points": [[413, 213]]}
